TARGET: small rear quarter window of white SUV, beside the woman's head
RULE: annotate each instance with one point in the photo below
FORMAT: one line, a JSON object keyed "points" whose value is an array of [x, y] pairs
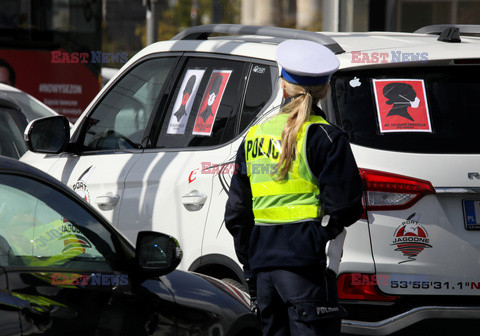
{"points": [[261, 82]]}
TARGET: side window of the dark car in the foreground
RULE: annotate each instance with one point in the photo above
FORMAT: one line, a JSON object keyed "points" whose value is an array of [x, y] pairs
{"points": [[41, 227]]}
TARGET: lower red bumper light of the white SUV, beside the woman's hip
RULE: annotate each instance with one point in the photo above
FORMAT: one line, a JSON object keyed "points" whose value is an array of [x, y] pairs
{"points": [[363, 287]]}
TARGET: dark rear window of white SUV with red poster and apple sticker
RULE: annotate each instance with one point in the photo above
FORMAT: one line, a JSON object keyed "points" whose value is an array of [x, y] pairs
{"points": [[417, 109]]}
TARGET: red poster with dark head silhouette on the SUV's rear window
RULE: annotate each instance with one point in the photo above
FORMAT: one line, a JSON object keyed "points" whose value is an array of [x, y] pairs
{"points": [[402, 105]]}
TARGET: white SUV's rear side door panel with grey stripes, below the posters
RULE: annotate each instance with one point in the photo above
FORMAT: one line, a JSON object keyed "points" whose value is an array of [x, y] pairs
{"points": [[147, 189]]}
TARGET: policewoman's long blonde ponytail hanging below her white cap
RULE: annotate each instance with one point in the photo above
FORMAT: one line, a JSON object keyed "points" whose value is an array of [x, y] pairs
{"points": [[299, 110]]}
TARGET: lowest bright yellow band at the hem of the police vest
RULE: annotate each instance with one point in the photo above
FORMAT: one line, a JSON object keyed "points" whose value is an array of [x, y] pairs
{"points": [[286, 213]]}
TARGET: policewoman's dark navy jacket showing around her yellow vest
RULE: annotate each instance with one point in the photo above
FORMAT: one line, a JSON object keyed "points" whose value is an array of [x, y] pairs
{"points": [[298, 244]]}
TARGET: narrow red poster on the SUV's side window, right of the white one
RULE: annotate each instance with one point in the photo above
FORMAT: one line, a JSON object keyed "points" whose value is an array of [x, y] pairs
{"points": [[211, 101]]}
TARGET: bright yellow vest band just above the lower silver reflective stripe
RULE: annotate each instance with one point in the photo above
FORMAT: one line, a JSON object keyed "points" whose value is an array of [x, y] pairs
{"points": [[278, 188]]}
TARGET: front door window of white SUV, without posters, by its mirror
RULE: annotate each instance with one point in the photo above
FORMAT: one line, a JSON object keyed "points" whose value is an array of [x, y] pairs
{"points": [[120, 120]]}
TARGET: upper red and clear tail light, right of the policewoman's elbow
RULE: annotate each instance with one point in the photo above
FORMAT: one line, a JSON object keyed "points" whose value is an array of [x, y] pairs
{"points": [[386, 191]]}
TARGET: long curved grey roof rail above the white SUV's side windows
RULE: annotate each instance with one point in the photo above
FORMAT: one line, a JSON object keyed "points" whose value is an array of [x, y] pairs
{"points": [[204, 31]]}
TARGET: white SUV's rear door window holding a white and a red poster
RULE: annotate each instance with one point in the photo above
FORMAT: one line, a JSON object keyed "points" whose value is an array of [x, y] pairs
{"points": [[203, 109]]}
